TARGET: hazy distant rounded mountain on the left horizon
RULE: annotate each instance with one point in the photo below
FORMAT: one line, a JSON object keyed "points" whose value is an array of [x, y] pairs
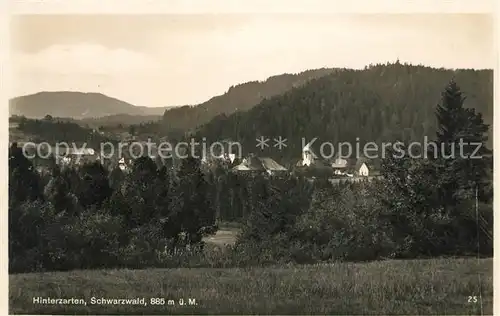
{"points": [[76, 105]]}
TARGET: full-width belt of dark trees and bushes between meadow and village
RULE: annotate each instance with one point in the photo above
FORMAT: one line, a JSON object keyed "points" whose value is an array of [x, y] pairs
{"points": [[156, 217]]}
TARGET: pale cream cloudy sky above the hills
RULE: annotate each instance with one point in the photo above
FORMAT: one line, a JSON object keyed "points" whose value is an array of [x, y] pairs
{"points": [[170, 60]]}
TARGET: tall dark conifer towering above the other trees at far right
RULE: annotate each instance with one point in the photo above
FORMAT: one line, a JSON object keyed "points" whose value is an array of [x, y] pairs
{"points": [[460, 132]]}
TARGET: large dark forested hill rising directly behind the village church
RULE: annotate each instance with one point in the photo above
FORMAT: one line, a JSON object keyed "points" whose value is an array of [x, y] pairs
{"points": [[380, 103]]}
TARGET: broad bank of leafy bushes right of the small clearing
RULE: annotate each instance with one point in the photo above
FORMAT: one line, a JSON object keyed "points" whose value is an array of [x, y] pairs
{"points": [[351, 222]]}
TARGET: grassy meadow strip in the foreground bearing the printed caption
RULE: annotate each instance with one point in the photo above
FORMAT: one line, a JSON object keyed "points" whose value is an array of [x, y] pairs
{"points": [[439, 286]]}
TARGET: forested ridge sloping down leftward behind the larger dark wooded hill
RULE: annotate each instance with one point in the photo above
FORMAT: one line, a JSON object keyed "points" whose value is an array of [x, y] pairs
{"points": [[241, 97]]}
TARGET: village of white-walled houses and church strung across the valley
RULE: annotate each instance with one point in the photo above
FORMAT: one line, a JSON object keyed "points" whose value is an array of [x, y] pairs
{"points": [[309, 164]]}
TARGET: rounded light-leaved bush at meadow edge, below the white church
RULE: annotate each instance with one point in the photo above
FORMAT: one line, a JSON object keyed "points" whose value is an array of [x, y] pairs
{"points": [[345, 223]]}
